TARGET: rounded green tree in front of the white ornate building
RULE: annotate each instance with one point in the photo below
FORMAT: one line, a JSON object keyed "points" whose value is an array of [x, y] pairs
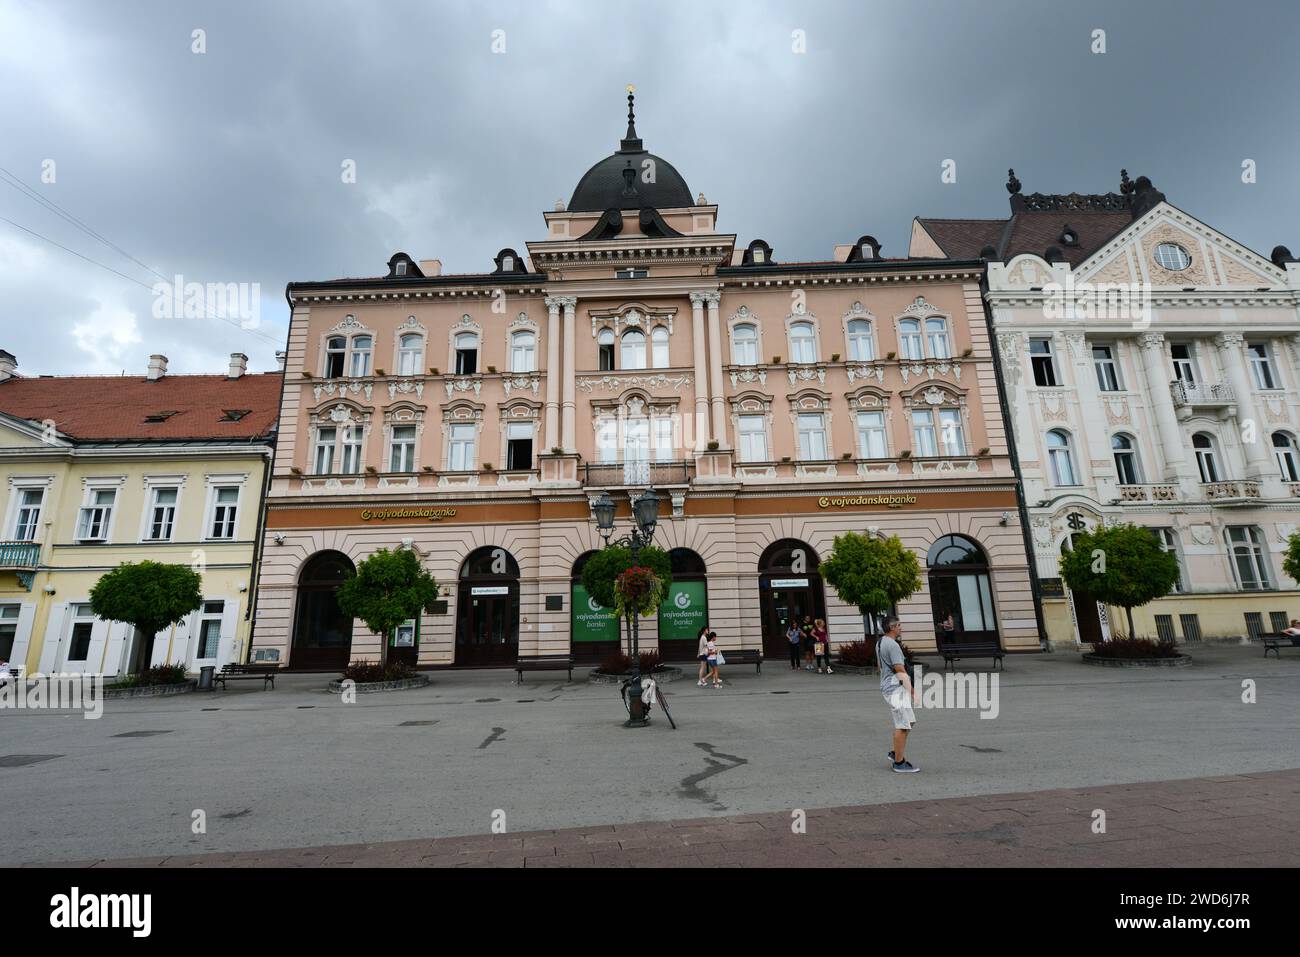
{"points": [[1125, 566]]}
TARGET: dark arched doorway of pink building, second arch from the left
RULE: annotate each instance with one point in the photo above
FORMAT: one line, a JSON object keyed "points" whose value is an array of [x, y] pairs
{"points": [[488, 609]]}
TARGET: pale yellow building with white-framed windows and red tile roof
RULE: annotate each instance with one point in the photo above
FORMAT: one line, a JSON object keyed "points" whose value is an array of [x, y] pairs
{"points": [[102, 470]]}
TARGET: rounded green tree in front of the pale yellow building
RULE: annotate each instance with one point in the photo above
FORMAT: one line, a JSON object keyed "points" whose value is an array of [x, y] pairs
{"points": [[150, 596]]}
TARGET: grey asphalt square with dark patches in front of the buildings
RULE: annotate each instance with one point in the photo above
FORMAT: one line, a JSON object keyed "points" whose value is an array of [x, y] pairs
{"points": [[297, 768]]}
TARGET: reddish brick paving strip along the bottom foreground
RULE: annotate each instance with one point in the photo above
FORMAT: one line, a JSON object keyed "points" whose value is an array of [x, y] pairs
{"points": [[1237, 821]]}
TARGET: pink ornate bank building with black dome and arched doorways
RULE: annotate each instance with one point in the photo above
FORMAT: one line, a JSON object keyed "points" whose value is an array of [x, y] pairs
{"points": [[773, 405]]}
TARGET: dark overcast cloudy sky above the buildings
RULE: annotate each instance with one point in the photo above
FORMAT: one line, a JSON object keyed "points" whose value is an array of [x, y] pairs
{"points": [[227, 166]]}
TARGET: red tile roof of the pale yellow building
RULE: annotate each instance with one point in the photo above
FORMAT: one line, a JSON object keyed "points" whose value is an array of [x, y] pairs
{"points": [[107, 409]]}
